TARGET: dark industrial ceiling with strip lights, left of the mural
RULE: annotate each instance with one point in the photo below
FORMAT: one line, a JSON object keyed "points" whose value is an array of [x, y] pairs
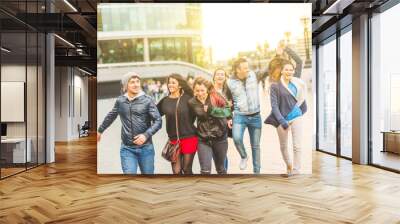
{"points": [[74, 22]]}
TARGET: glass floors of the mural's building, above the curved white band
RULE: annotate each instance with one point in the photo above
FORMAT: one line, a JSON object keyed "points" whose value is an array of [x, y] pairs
{"points": [[145, 33]]}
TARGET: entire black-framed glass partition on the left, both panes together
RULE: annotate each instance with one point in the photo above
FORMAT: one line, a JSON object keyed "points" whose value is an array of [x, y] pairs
{"points": [[22, 65]]}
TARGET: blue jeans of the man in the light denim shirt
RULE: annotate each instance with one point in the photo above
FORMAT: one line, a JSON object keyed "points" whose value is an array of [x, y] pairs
{"points": [[253, 123]]}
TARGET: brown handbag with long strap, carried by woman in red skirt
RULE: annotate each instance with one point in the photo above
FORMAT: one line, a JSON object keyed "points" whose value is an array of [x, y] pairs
{"points": [[171, 151]]}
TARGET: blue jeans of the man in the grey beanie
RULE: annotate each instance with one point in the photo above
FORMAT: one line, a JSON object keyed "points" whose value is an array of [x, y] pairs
{"points": [[132, 157]]}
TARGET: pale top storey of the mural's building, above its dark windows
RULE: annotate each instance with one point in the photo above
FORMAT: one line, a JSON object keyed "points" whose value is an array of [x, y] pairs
{"points": [[146, 17]]}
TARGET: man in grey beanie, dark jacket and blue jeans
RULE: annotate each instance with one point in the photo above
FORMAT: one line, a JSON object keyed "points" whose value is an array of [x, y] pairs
{"points": [[140, 120]]}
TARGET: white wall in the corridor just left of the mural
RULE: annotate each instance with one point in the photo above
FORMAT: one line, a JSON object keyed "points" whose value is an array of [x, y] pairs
{"points": [[69, 85]]}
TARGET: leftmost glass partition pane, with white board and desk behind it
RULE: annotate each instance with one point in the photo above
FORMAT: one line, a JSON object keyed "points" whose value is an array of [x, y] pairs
{"points": [[14, 153]]}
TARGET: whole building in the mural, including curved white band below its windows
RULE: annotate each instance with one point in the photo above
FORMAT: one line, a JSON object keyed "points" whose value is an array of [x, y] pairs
{"points": [[156, 39]]}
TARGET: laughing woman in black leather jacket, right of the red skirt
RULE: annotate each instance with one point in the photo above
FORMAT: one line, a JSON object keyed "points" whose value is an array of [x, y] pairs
{"points": [[211, 110]]}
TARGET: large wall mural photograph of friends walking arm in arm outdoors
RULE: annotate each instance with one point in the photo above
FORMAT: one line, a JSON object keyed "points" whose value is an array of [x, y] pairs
{"points": [[203, 89]]}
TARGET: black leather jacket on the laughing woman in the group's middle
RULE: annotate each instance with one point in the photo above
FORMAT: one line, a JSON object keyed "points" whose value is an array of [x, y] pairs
{"points": [[208, 127]]}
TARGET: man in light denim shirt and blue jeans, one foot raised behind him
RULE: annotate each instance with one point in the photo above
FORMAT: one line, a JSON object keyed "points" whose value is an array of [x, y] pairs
{"points": [[246, 111]]}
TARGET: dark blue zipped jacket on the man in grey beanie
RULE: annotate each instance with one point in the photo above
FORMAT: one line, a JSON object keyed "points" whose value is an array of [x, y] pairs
{"points": [[139, 116]]}
